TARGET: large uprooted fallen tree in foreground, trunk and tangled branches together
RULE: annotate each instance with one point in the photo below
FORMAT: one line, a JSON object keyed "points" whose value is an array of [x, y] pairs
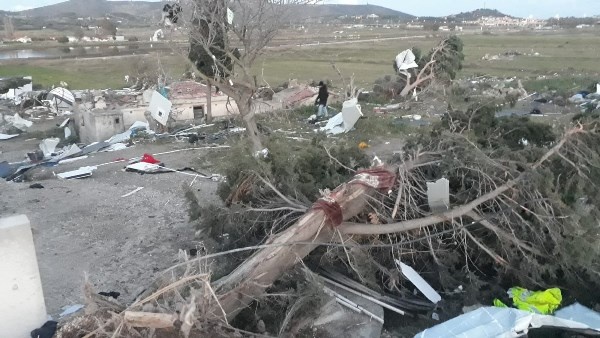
{"points": [[512, 210]]}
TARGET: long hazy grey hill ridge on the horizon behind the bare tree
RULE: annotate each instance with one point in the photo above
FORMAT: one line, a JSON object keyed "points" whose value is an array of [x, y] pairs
{"points": [[99, 8]]}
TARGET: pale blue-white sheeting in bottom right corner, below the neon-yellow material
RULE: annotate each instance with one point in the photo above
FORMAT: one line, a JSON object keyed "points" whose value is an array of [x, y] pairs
{"points": [[508, 323]]}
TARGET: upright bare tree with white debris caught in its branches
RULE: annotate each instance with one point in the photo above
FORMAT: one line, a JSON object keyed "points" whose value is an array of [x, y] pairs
{"points": [[227, 37]]}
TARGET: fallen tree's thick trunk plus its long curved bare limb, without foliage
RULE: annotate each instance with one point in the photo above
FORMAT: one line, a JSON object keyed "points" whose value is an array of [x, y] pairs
{"points": [[249, 281]]}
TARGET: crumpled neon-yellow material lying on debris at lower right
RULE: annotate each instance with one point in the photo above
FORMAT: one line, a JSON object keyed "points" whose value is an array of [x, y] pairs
{"points": [[543, 302]]}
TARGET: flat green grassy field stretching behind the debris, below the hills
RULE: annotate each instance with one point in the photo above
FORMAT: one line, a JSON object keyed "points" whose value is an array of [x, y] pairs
{"points": [[565, 60]]}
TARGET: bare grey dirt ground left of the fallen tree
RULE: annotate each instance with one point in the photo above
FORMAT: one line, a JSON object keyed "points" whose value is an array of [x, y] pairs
{"points": [[85, 226]]}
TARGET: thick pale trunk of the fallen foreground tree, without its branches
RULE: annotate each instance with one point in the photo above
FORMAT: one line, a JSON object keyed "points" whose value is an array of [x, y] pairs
{"points": [[250, 280]]}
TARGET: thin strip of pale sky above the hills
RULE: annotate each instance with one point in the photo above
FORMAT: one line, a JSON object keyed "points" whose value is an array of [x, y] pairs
{"points": [[521, 8]]}
